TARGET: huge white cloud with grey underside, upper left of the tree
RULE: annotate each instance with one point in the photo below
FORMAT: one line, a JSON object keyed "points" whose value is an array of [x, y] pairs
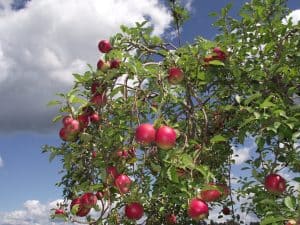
{"points": [[40, 49]]}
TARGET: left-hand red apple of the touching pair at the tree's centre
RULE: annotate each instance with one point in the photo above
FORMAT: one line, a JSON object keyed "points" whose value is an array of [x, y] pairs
{"points": [[145, 134]]}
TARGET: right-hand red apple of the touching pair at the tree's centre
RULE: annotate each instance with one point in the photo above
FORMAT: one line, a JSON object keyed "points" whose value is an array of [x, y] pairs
{"points": [[165, 137]]}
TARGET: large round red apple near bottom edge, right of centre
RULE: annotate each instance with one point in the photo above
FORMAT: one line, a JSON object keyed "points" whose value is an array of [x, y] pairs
{"points": [[197, 209]]}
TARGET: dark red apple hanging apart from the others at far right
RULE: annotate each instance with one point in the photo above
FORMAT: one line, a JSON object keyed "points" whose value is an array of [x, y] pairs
{"points": [[275, 183]]}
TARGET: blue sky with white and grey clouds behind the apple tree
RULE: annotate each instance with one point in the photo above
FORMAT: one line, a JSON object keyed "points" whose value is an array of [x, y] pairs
{"points": [[42, 42]]}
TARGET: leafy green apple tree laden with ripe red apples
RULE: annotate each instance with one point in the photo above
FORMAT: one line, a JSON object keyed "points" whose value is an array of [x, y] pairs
{"points": [[148, 134]]}
